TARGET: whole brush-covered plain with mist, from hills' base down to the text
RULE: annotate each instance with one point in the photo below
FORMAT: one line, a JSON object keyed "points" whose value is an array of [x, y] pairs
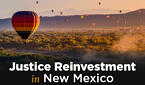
{"points": [[88, 46]]}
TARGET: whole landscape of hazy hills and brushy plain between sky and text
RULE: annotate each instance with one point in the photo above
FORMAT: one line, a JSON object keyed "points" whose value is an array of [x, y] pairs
{"points": [[116, 38]]}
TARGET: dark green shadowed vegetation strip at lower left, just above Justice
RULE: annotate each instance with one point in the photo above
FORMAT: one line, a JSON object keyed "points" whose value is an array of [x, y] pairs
{"points": [[6, 59]]}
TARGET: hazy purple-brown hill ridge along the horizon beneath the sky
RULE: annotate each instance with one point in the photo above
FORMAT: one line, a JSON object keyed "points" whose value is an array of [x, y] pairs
{"points": [[132, 18]]}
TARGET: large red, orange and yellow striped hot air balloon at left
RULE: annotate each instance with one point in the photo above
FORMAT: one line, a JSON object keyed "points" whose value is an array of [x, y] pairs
{"points": [[25, 23]]}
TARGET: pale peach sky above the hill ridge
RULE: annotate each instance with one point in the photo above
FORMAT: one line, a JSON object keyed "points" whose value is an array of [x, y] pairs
{"points": [[9, 7]]}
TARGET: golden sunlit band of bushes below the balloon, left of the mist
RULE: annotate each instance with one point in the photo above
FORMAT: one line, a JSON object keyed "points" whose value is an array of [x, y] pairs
{"points": [[60, 41]]}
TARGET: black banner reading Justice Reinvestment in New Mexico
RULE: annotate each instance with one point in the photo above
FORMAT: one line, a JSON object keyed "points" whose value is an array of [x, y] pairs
{"points": [[72, 73]]}
